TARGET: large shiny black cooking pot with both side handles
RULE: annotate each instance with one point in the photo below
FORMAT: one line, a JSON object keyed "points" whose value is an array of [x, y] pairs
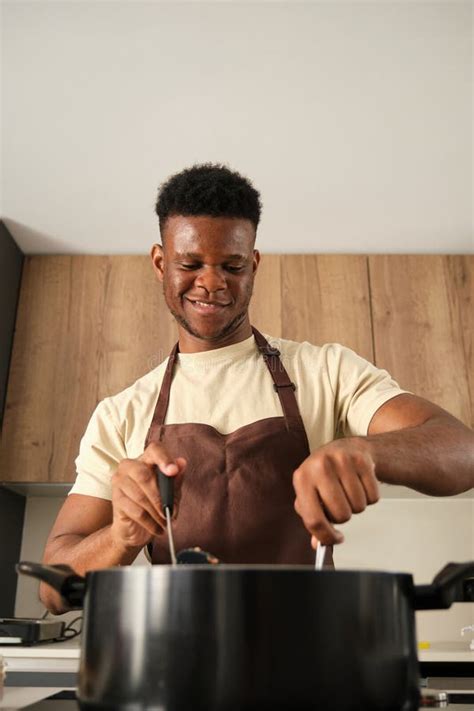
{"points": [[241, 638]]}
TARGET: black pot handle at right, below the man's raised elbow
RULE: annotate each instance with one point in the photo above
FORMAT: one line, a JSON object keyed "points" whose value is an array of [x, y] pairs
{"points": [[454, 583]]}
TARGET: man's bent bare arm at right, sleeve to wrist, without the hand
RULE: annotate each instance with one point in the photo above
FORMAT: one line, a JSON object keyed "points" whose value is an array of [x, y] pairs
{"points": [[417, 444]]}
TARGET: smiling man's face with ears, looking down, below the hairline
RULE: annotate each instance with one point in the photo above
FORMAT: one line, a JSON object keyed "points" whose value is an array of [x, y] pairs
{"points": [[212, 260]]}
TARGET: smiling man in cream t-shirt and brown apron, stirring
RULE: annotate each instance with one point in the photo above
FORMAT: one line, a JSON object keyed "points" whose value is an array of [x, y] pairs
{"points": [[262, 473]]}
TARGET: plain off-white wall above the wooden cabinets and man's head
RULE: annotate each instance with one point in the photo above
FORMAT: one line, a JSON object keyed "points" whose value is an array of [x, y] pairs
{"points": [[353, 119]]}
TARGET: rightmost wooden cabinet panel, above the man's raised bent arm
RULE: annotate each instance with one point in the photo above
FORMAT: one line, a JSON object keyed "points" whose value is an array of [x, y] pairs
{"points": [[423, 319]]}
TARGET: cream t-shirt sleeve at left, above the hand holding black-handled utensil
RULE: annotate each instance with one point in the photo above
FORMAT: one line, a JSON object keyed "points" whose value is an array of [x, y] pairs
{"points": [[100, 451]]}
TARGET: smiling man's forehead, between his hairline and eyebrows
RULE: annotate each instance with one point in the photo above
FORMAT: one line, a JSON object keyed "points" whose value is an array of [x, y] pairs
{"points": [[204, 234]]}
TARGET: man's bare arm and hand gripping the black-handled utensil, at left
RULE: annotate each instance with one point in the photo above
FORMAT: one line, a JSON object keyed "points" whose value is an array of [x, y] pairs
{"points": [[92, 533]]}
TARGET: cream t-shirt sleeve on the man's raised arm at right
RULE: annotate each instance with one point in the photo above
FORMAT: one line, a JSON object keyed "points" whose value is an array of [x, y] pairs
{"points": [[359, 388]]}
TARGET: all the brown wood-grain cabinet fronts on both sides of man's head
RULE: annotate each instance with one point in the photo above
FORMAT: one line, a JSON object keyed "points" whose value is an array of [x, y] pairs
{"points": [[89, 326]]}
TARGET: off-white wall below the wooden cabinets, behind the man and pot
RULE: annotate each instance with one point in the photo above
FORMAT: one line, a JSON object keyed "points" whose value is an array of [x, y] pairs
{"points": [[398, 535]]}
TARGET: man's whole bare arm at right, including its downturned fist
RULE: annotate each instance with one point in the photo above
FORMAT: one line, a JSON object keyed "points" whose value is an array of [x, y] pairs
{"points": [[410, 441]]}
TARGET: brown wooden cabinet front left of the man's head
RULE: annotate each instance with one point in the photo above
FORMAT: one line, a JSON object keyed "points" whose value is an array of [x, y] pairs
{"points": [[87, 327]]}
